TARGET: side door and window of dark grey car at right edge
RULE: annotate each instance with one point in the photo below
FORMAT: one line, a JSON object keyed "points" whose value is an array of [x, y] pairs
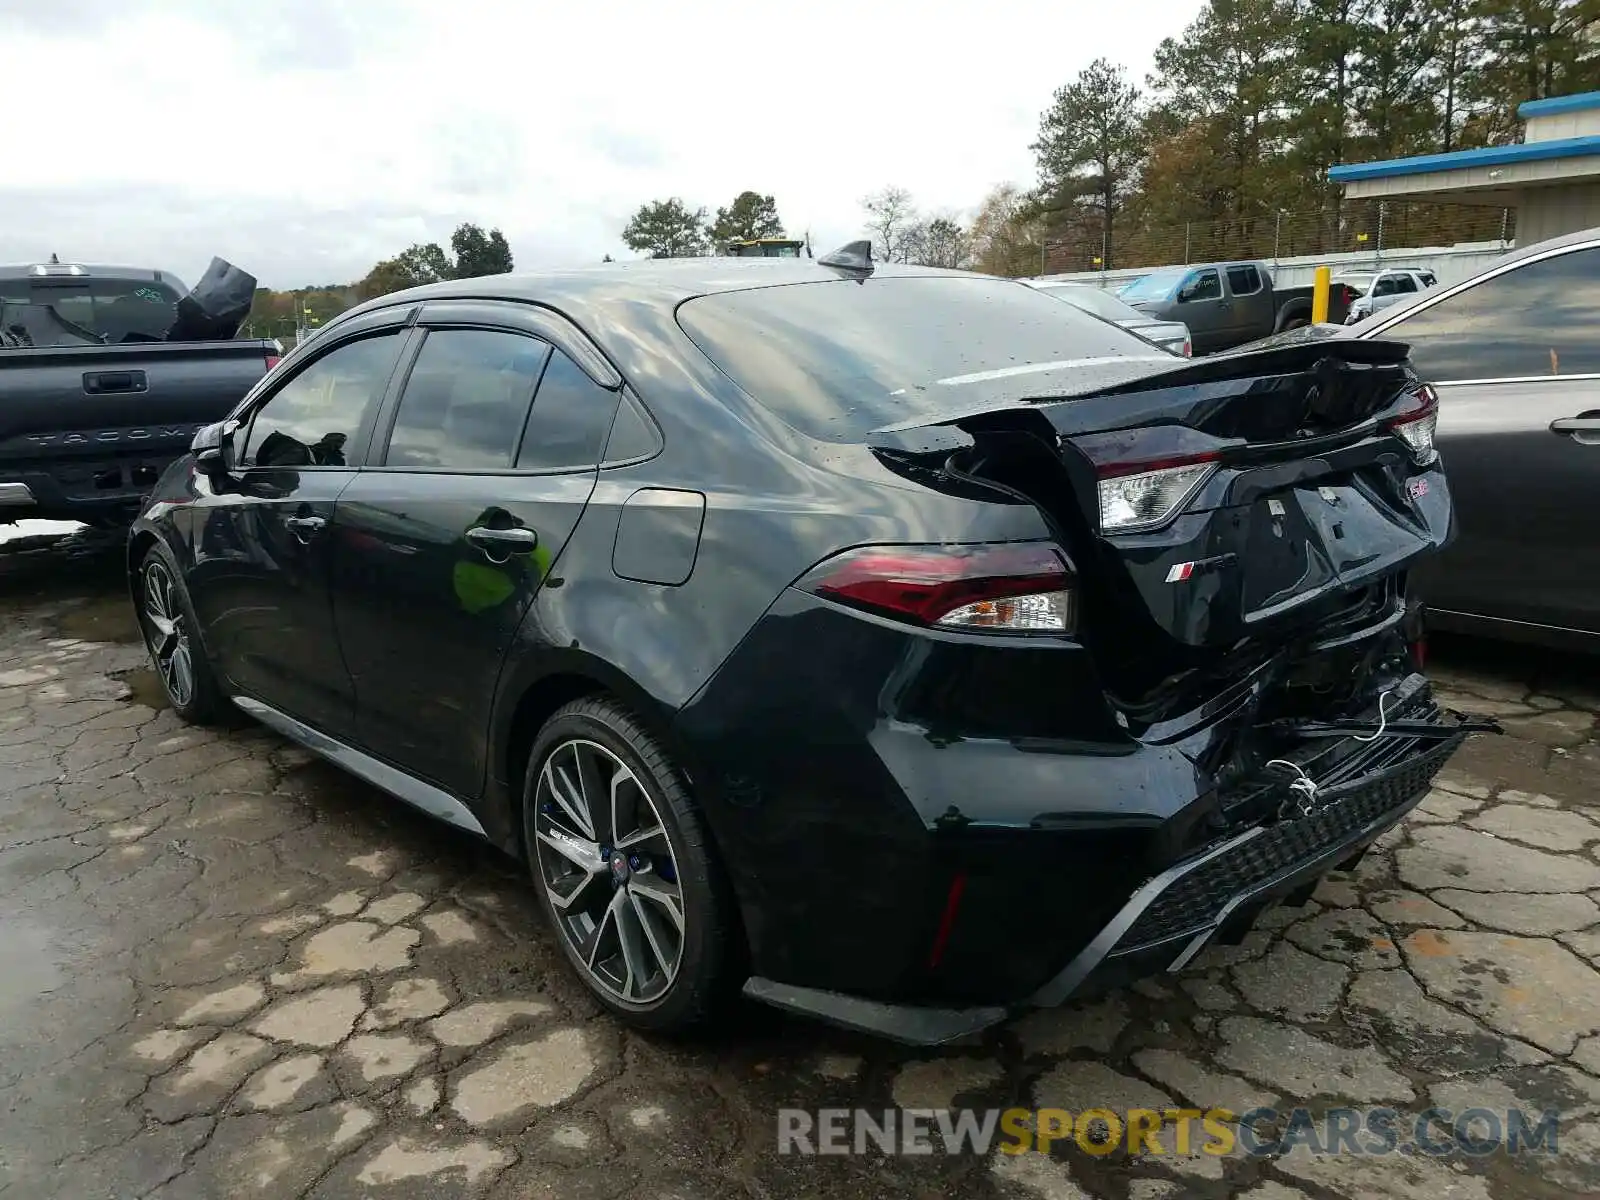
{"points": [[1518, 366]]}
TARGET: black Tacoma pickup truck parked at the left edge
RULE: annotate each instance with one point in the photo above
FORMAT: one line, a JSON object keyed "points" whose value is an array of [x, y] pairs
{"points": [[106, 374]]}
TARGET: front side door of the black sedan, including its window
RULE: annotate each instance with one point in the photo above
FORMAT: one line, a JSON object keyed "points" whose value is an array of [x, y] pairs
{"points": [[262, 575]]}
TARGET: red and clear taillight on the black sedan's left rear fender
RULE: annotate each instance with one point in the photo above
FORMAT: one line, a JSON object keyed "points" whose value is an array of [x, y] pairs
{"points": [[1010, 588]]}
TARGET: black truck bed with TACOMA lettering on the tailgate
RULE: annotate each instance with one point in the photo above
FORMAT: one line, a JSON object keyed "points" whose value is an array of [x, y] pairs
{"points": [[86, 431]]}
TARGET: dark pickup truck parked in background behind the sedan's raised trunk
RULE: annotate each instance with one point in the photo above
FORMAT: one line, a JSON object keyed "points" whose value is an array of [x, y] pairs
{"points": [[1226, 305]]}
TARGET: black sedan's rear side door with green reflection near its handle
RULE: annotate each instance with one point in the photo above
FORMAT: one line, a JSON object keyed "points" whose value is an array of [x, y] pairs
{"points": [[482, 468]]}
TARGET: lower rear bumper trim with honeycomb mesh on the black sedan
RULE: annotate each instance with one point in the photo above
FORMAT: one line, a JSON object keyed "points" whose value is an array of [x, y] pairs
{"points": [[1214, 895]]}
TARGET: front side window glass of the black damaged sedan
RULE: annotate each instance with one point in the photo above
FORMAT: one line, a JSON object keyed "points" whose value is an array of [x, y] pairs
{"points": [[314, 417]]}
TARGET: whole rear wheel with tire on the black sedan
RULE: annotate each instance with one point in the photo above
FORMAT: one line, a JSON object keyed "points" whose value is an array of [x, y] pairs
{"points": [[626, 870]]}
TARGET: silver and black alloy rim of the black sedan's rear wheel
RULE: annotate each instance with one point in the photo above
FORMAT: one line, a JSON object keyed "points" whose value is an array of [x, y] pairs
{"points": [[609, 868]]}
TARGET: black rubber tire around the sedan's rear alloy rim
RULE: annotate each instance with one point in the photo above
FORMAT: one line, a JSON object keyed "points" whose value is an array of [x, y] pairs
{"points": [[710, 953]]}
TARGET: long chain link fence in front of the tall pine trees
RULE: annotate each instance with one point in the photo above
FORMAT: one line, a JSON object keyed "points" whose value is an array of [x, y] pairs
{"points": [[1354, 226]]}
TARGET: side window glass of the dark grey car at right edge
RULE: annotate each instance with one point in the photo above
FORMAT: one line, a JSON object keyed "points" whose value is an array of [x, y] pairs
{"points": [[1534, 321]]}
